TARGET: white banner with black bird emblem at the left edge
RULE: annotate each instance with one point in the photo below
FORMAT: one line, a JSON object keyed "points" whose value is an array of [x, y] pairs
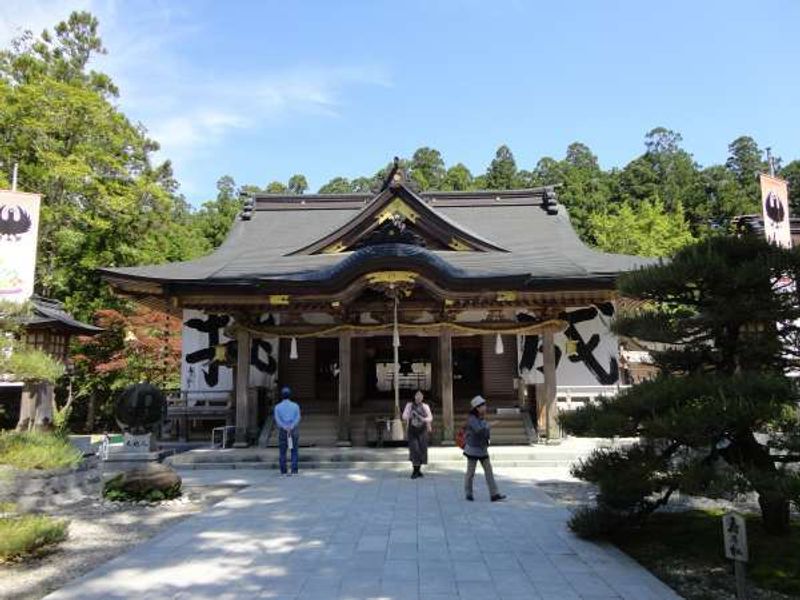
{"points": [[19, 232]]}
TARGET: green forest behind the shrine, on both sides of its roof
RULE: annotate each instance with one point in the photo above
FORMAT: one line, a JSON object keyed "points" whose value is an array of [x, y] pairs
{"points": [[106, 202]]}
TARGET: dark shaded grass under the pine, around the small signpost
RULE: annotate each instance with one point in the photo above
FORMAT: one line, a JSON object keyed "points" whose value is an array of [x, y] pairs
{"points": [[680, 545]]}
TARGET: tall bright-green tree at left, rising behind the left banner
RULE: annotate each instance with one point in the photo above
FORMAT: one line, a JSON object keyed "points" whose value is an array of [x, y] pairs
{"points": [[104, 201]]}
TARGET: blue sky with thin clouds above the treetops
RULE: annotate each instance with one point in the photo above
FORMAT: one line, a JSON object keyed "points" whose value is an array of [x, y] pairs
{"points": [[261, 90]]}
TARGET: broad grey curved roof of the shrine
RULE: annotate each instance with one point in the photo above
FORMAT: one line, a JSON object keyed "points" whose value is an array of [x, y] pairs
{"points": [[280, 241]]}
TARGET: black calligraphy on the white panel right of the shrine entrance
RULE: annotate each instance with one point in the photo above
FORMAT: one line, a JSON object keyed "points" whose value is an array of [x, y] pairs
{"points": [[584, 349]]}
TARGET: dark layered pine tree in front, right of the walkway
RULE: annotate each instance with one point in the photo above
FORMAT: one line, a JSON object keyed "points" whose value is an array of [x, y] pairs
{"points": [[722, 415]]}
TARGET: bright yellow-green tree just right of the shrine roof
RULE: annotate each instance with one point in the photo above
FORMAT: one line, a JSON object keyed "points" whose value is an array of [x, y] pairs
{"points": [[643, 229]]}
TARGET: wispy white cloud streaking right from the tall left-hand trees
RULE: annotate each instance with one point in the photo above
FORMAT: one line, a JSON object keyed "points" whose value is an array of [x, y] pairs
{"points": [[189, 110]]}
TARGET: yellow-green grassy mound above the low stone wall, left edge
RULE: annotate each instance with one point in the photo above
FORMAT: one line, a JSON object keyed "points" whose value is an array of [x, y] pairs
{"points": [[28, 450]]}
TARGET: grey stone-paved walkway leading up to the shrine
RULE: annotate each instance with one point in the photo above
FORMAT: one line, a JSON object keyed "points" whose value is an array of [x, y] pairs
{"points": [[343, 534]]}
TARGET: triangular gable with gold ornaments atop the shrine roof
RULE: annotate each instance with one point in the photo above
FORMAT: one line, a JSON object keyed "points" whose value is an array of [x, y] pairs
{"points": [[398, 216]]}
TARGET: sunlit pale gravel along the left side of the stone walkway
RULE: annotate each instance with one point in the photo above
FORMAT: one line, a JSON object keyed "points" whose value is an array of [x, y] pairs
{"points": [[98, 532]]}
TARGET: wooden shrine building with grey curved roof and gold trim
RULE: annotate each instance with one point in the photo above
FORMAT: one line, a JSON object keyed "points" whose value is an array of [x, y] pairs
{"points": [[474, 286]]}
